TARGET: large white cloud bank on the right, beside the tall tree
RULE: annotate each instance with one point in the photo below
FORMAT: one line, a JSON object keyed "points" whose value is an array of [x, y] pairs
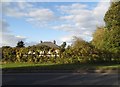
{"points": [[84, 21]]}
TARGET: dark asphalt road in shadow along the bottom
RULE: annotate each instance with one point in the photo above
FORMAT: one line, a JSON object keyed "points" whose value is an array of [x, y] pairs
{"points": [[60, 79]]}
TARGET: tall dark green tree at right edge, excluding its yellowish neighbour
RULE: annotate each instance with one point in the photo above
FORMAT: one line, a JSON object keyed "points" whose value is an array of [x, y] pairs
{"points": [[112, 21]]}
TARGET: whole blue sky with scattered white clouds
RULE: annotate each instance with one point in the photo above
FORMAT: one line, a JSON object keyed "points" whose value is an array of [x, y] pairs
{"points": [[32, 22]]}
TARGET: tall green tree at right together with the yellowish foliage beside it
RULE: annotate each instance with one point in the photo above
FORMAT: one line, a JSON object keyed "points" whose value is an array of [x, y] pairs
{"points": [[108, 37]]}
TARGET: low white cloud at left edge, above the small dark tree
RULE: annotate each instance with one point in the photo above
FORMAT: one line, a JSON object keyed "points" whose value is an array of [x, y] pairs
{"points": [[6, 38]]}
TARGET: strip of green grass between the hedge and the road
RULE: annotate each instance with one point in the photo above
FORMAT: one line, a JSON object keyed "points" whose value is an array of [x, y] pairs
{"points": [[59, 66]]}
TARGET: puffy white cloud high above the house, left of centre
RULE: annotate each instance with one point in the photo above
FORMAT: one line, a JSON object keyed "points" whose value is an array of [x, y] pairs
{"points": [[40, 15]]}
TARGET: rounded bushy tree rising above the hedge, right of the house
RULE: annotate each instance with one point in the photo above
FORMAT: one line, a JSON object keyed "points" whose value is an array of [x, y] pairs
{"points": [[81, 50]]}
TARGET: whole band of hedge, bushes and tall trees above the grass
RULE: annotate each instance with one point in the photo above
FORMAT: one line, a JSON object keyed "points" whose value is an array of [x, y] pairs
{"points": [[105, 46]]}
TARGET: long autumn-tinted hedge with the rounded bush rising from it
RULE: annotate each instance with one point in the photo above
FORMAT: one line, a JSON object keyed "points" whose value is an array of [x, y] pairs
{"points": [[79, 52]]}
